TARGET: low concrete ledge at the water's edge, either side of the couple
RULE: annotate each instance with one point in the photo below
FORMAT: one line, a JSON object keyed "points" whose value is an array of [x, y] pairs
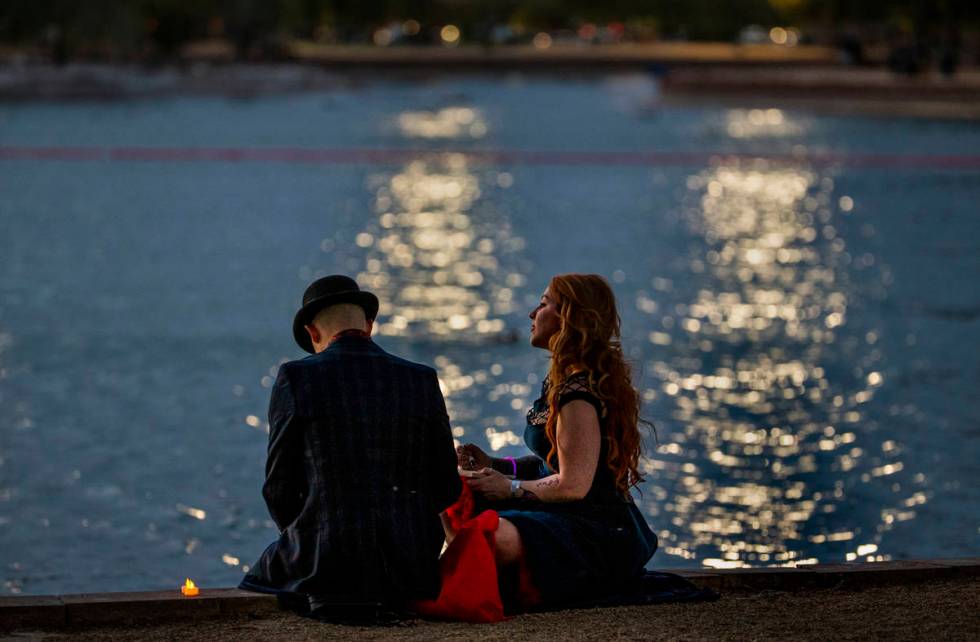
{"points": [[94, 609]]}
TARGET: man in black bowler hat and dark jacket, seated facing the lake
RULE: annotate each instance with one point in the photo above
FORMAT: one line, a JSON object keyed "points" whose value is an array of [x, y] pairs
{"points": [[361, 462]]}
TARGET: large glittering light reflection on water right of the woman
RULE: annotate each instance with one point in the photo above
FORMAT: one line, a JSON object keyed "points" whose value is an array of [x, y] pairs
{"points": [[769, 446]]}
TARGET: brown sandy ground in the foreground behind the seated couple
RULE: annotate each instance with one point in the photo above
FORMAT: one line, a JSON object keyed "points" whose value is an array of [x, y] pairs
{"points": [[946, 610]]}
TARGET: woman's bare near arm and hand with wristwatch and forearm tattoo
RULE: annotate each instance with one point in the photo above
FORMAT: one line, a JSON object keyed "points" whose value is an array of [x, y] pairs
{"points": [[579, 442]]}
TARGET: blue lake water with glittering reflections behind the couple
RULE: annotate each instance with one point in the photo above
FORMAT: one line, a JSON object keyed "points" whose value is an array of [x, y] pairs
{"points": [[799, 296]]}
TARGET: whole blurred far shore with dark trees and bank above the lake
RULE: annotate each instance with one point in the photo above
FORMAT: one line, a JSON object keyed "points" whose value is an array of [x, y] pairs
{"points": [[902, 58]]}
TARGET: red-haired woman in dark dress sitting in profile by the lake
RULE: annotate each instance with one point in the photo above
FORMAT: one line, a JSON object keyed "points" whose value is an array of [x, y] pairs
{"points": [[568, 515]]}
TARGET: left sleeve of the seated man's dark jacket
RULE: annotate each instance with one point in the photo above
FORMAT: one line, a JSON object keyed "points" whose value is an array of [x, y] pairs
{"points": [[285, 483]]}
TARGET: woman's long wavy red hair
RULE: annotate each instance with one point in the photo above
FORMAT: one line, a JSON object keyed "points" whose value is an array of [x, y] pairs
{"points": [[589, 339]]}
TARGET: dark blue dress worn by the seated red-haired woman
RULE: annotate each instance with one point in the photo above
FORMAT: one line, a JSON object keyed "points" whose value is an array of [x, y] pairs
{"points": [[590, 547]]}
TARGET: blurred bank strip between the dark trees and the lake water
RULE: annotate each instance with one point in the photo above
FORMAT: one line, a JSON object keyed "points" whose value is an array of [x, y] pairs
{"points": [[820, 87]]}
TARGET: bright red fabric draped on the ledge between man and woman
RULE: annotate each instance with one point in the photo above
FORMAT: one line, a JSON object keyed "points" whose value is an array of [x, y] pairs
{"points": [[470, 592]]}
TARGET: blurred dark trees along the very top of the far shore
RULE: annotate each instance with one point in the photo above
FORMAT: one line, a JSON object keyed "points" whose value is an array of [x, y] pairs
{"points": [[115, 28]]}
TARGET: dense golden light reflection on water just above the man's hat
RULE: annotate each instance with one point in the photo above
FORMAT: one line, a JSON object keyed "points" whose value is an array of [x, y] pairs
{"points": [[433, 260]]}
